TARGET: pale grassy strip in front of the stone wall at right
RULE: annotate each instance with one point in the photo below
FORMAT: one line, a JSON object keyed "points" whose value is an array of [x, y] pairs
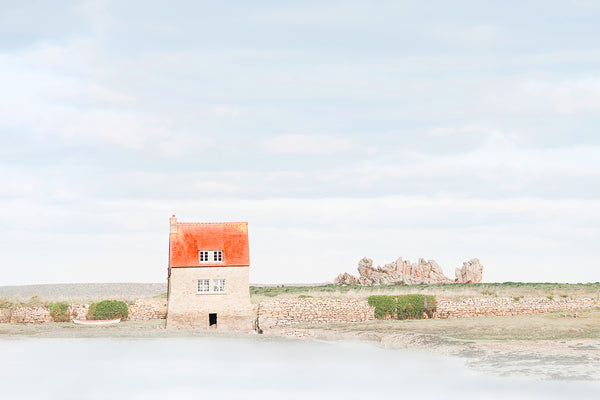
{"points": [[549, 326]]}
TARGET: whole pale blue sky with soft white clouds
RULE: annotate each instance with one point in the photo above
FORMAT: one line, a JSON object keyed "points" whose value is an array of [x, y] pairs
{"points": [[337, 129]]}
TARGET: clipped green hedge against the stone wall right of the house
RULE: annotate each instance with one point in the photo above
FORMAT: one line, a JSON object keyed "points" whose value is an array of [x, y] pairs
{"points": [[410, 306]]}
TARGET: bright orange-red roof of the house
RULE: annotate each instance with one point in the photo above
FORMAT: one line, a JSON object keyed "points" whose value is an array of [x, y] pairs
{"points": [[191, 237]]}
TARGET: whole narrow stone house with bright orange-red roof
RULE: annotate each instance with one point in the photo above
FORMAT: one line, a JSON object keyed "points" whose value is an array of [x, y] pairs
{"points": [[208, 276]]}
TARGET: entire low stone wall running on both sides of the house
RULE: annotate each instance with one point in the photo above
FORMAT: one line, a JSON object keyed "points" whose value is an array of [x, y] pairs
{"points": [[289, 311]]}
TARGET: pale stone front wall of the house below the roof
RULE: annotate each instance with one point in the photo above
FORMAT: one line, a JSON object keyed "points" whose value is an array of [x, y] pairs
{"points": [[189, 309]]}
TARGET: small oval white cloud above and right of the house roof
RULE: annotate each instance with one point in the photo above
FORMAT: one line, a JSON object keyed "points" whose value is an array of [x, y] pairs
{"points": [[307, 144]]}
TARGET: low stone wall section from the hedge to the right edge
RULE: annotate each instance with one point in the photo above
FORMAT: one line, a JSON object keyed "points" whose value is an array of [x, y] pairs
{"points": [[477, 306]]}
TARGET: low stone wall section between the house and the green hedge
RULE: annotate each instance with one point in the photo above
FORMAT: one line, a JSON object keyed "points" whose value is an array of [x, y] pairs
{"points": [[285, 312]]}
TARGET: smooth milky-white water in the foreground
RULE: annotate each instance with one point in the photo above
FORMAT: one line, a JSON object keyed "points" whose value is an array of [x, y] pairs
{"points": [[250, 368]]}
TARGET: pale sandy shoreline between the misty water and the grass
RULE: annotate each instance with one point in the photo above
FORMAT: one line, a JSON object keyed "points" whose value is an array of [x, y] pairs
{"points": [[551, 359]]}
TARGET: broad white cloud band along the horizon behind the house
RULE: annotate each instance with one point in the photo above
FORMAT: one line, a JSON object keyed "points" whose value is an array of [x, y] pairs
{"points": [[517, 239]]}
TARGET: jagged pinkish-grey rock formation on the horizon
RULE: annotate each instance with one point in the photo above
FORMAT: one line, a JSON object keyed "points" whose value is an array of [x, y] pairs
{"points": [[402, 272]]}
